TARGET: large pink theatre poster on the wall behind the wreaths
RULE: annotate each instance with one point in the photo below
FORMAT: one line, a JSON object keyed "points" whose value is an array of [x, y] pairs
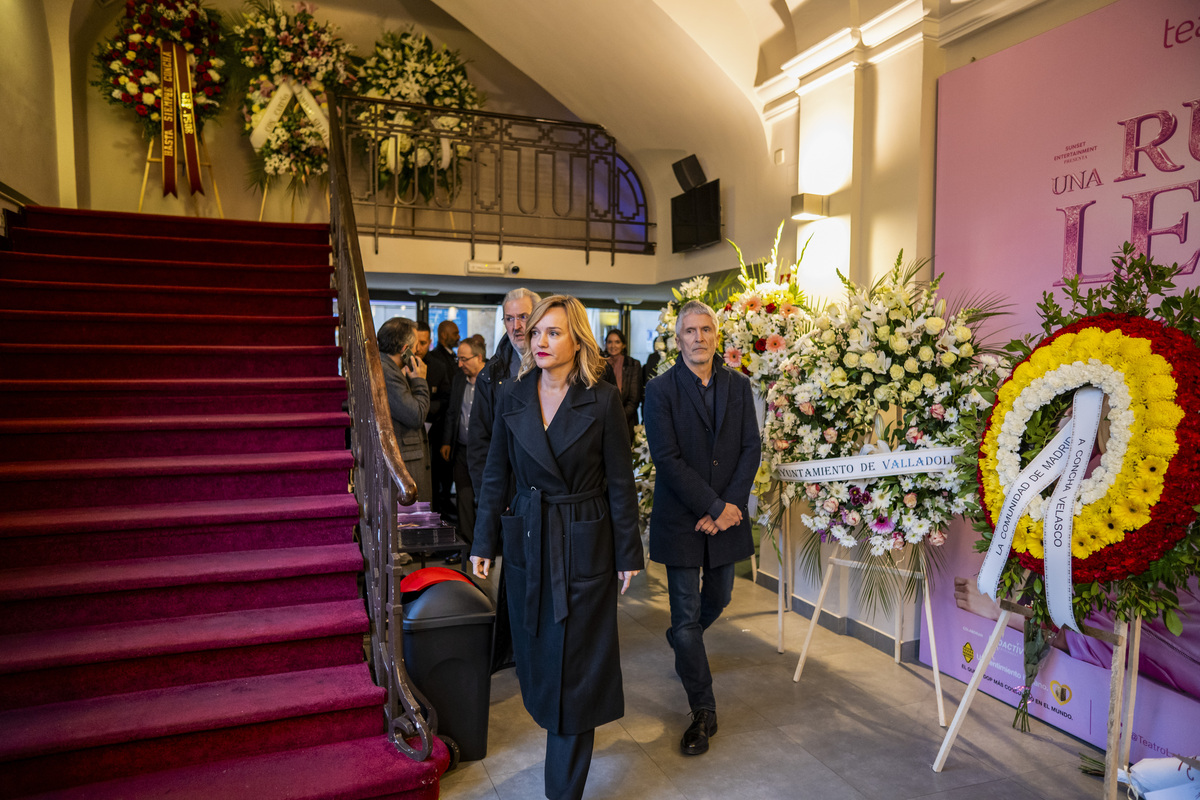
{"points": [[1051, 155]]}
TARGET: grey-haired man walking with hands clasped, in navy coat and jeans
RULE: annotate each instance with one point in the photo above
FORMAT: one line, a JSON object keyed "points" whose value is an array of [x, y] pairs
{"points": [[705, 443]]}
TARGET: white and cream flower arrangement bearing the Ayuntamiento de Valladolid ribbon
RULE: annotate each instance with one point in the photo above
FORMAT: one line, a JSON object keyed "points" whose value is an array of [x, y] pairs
{"points": [[891, 351]]}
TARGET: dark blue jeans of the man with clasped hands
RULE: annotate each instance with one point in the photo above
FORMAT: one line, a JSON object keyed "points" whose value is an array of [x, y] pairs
{"points": [[697, 605]]}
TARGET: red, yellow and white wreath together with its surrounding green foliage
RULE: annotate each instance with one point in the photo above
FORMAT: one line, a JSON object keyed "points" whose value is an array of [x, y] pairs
{"points": [[1136, 539]]}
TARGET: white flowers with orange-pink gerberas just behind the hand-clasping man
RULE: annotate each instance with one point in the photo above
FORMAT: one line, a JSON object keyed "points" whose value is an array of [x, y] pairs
{"points": [[764, 318]]}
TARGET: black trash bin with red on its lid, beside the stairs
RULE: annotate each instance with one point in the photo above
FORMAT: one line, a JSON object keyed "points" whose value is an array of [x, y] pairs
{"points": [[448, 653]]}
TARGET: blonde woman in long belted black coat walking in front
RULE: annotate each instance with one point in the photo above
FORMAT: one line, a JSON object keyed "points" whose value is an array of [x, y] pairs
{"points": [[571, 542]]}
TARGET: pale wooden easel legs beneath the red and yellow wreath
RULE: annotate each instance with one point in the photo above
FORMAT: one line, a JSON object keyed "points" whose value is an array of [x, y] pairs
{"points": [[1119, 742]]}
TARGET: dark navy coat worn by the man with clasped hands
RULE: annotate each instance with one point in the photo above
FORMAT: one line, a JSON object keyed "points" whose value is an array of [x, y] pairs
{"points": [[695, 466]]}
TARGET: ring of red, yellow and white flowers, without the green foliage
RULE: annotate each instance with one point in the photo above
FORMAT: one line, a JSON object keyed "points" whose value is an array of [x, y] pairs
{"points": [[1138, 502]]}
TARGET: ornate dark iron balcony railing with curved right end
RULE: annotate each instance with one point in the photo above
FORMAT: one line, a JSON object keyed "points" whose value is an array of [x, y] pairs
{"points": [[490, 179]]}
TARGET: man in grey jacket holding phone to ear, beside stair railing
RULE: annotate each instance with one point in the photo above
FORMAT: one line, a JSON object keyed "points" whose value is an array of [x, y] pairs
{"points": [[409, 398]]}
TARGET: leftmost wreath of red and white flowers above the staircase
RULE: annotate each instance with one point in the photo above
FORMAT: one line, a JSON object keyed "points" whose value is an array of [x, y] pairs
{"points": [[130, 62]]}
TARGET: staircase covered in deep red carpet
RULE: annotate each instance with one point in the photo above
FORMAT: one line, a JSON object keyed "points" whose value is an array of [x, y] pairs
{"points": [[179, 604]]}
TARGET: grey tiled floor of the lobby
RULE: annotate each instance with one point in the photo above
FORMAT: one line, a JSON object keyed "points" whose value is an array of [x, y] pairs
{"points": [[857, 726]]}
